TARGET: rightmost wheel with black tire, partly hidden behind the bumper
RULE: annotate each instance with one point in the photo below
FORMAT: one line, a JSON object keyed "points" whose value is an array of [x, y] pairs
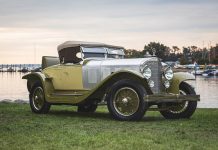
{"points": [[185, 110]]}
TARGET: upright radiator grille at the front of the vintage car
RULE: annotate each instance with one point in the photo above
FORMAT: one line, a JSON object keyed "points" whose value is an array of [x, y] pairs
{"points": [[155, 66]]}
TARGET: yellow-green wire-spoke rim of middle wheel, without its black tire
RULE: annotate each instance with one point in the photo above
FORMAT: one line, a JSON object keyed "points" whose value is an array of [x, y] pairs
{"points": [[126, 101]]}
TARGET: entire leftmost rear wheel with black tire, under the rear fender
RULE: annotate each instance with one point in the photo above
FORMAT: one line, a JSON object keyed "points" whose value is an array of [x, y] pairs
{"points": [[44, 106]]}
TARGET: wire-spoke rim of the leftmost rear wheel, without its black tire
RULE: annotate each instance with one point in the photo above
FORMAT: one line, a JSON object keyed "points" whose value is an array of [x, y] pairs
{"points": [[38, 98]]}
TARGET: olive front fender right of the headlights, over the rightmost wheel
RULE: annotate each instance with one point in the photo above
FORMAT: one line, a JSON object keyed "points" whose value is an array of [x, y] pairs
{"points": [[177, 79]]}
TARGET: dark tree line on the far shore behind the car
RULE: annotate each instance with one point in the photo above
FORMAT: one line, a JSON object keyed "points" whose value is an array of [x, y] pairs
{"points": [[186, 55]]}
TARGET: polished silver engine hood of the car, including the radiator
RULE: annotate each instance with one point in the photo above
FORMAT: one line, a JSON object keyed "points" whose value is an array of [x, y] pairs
{"points": [[96, 70]]}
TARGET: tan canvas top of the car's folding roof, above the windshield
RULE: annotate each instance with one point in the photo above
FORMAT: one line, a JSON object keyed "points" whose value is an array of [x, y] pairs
{"points": [[85, 44]]}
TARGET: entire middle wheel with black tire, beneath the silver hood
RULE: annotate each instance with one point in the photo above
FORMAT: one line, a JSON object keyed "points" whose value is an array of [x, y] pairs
{"points": [[136, 90]]}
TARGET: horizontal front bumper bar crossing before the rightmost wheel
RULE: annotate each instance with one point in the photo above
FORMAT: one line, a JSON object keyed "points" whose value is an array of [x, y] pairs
{"points": [[159, 98]]}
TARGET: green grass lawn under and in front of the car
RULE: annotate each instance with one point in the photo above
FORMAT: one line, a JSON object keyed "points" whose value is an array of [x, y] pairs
{"points": [[64, 128]]}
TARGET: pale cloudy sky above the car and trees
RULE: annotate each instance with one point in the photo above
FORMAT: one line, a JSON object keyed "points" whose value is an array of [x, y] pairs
{"points": [[30, 29]]}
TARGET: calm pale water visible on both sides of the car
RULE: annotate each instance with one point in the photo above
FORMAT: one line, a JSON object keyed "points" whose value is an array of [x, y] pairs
{"points": [[12, 87]]}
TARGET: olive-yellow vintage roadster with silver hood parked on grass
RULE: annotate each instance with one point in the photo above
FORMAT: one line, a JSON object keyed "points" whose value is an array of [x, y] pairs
{"points": [[88, 74]]}
